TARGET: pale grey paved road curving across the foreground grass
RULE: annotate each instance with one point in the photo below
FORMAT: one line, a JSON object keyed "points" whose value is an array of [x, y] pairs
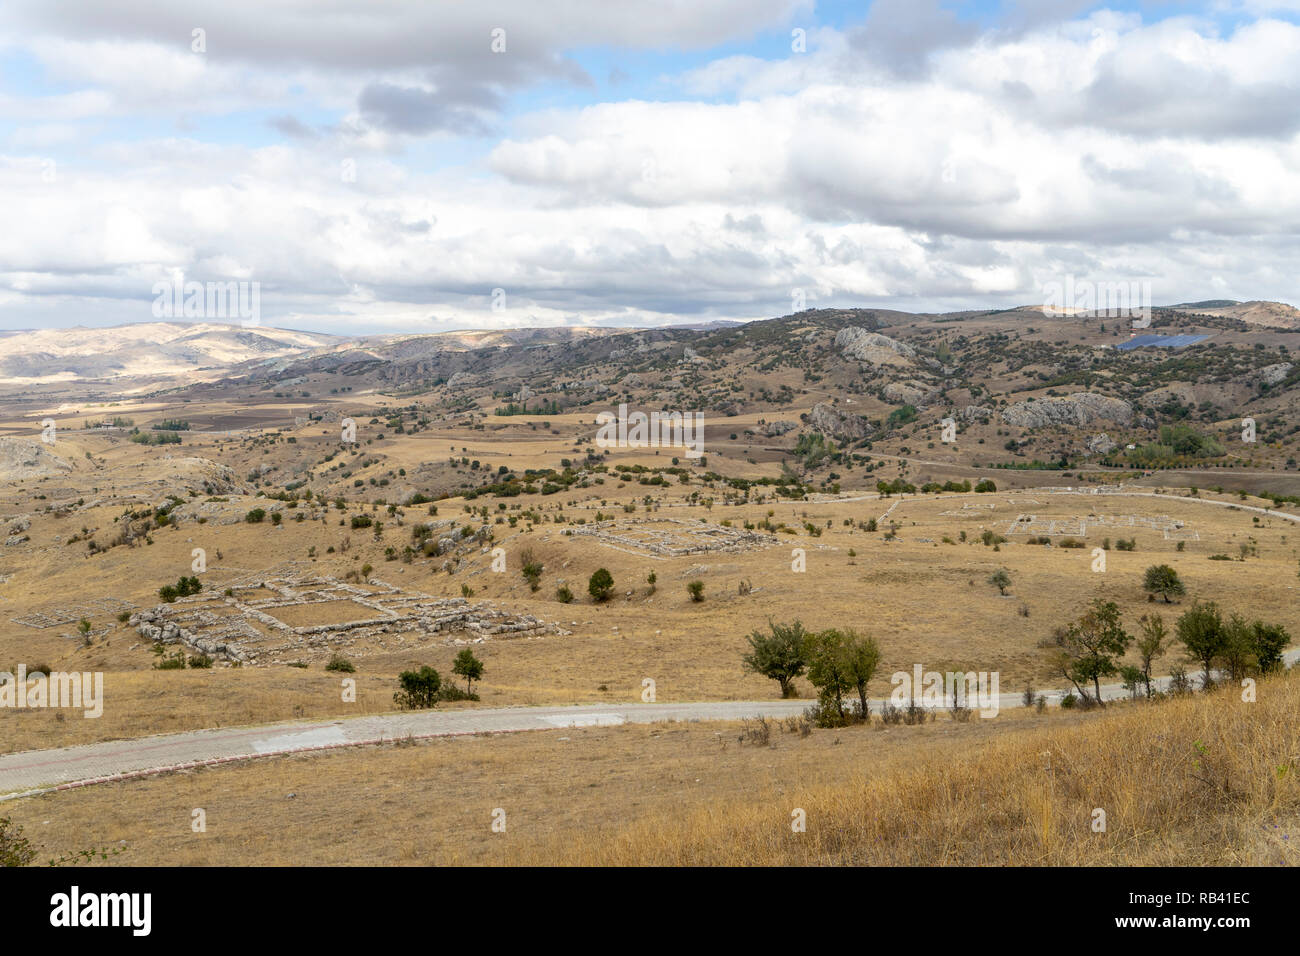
{"points": [[38, 772]]}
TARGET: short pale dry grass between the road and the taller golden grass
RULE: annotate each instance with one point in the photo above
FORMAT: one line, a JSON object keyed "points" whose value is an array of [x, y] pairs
{"points": [[431, 803]]}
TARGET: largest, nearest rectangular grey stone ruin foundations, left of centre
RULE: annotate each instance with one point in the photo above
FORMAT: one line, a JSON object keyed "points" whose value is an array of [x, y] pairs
{"points": [[244, 625]]}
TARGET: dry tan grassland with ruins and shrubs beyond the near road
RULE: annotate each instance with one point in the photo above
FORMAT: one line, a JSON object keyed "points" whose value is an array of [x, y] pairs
{"points": [[920, 585]]}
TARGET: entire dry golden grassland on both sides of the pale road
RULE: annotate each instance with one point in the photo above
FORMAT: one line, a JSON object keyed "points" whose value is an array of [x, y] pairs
{"points": [[943, 793]]}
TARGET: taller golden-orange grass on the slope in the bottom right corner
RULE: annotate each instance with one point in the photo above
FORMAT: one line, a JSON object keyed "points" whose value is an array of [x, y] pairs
{"points": [[1201, 781]]}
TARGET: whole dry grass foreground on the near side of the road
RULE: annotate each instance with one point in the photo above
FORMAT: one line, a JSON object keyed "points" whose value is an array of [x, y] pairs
{"points": [[1201, 781]]}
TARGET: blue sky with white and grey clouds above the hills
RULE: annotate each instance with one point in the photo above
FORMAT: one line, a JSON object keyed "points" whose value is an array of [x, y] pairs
{"points": [[424, 166]]}
